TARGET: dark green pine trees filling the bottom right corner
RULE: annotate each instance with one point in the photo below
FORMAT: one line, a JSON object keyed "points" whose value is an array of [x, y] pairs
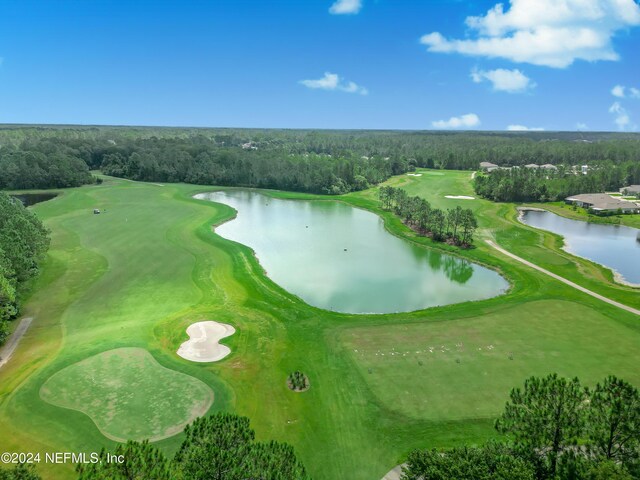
{"points": [[557, 430]]}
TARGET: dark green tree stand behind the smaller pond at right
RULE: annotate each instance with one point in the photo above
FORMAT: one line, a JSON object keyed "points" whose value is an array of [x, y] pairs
{"points": [[542, 185]]}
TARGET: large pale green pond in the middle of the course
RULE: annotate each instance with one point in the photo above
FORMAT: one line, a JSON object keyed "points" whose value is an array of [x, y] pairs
{"points": [[341, 258]]}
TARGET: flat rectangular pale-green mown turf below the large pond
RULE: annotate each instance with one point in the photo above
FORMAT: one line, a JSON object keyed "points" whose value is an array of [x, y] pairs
{"points": [[460, 369]]}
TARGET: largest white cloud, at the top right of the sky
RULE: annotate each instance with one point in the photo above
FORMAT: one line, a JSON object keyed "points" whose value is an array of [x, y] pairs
{"points": [[552, 33]]}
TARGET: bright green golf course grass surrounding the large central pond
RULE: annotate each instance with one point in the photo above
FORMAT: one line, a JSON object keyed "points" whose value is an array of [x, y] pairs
{"points": [[138, 275]]}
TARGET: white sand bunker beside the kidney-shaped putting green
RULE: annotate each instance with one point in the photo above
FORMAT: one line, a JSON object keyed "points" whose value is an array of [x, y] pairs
{"points": [[203, 345]]}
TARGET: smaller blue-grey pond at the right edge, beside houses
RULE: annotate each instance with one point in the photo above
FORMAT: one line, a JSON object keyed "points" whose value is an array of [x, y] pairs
{"points": [[616, 247]]}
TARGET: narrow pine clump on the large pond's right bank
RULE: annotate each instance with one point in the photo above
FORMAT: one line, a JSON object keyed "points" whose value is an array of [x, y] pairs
{"points": [[456, 225]]}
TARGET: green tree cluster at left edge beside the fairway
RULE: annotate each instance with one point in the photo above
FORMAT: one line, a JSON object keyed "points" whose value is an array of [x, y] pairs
{"points": [[23, 242]]}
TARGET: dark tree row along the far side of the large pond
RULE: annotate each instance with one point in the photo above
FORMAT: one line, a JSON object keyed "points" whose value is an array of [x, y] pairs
{"points": [[166, 161]]}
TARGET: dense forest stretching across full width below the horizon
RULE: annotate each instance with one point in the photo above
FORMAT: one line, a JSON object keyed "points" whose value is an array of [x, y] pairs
{"points": [[329, 162]]}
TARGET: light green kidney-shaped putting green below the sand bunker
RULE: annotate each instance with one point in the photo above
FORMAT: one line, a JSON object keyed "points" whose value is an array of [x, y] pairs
{"points": [[129, 395]]}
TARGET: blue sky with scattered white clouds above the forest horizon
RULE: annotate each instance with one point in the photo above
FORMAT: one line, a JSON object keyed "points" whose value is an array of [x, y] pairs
{"points": [[396, 64]]}
